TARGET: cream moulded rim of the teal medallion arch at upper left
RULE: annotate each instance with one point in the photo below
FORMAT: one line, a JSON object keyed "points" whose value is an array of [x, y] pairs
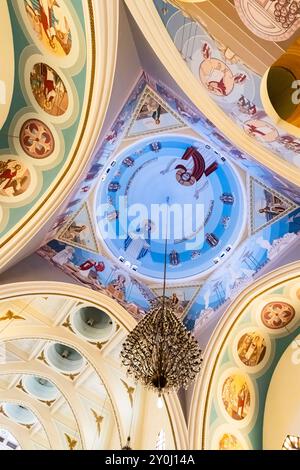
{"points": [[102, 22]]}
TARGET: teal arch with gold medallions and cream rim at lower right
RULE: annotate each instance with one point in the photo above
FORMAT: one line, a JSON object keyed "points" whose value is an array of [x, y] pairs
{"points": [[266, 314]]}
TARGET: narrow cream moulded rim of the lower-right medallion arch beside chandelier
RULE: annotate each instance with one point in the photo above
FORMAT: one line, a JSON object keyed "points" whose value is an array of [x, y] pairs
{"points": [[201, 393]]}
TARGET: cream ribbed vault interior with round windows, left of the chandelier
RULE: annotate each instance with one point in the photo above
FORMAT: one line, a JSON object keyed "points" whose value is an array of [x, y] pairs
{"points": [[61, 385]]}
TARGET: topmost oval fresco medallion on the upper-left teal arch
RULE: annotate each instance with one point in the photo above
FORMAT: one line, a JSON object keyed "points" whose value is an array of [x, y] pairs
{"points": [[49, 20]]}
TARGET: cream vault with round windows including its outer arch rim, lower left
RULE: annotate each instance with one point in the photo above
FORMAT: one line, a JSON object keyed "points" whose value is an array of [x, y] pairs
{"points": [[36, 316]]}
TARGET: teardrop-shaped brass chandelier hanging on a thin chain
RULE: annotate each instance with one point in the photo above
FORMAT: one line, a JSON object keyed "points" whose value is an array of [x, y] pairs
{"points": [[160, 353]]}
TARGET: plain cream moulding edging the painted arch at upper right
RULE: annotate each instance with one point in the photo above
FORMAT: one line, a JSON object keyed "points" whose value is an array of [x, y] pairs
{"points": [[149, 21]]}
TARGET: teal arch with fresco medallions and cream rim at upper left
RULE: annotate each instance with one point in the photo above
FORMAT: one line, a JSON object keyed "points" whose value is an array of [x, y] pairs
{"points": [[84, 66]]}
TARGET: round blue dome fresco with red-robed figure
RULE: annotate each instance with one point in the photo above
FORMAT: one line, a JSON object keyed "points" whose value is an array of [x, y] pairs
{"points": [[175, 185]]}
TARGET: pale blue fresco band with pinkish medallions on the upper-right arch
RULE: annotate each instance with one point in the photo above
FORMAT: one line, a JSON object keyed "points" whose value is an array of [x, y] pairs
{"points": [[230, 83]]}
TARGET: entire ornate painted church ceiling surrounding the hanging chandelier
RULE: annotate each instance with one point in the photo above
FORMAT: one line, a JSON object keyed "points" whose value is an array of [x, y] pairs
{"points": [[209, 170]]}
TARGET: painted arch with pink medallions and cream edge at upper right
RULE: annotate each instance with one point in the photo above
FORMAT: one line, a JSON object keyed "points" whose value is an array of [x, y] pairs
{"points": [[217, 79]]}
